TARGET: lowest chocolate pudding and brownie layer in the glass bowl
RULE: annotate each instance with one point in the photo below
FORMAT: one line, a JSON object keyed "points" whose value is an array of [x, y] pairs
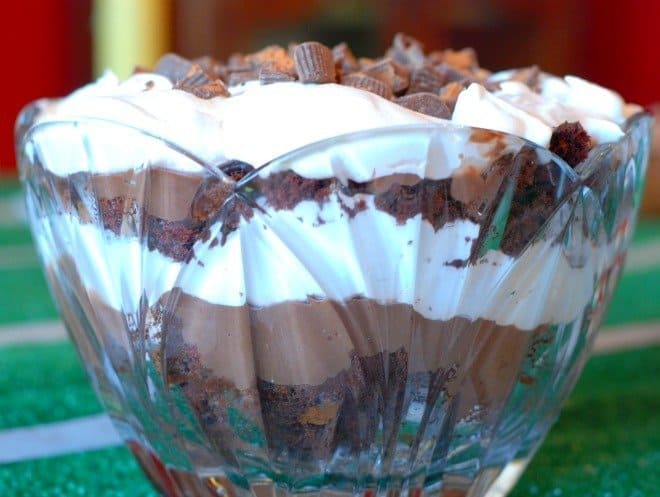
{"points": [[335, 375]]}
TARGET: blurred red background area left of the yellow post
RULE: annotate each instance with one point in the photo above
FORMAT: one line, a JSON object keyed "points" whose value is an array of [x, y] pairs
{"points": [[46, 52]]}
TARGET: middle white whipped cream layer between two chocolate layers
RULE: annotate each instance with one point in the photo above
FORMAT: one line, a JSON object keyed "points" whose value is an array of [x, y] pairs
{"points": [[289, 255]]}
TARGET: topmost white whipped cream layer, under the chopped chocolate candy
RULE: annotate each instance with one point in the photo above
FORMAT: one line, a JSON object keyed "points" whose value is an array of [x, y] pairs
{"points": [[259, 123]]}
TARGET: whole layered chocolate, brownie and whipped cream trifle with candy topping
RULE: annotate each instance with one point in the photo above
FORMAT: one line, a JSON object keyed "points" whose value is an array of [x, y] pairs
{"points": [[364, 268]]}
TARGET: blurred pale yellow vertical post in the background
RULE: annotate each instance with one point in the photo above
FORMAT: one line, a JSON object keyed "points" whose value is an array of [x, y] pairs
{"points": [[129, 33]]}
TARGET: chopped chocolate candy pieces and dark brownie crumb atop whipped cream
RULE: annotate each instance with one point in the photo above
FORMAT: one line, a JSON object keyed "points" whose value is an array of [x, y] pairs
{"points": [[405, 70]]}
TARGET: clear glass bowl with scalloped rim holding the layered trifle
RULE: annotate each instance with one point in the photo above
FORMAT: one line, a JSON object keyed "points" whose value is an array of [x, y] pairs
{"points": [[400, 310]]}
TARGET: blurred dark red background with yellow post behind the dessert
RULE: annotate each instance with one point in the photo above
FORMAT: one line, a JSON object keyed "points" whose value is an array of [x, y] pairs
{"points": [[49, 46]]}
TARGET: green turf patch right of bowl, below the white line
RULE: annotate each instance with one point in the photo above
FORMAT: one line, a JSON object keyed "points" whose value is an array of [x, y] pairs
{"points": [[607, 440]]}
